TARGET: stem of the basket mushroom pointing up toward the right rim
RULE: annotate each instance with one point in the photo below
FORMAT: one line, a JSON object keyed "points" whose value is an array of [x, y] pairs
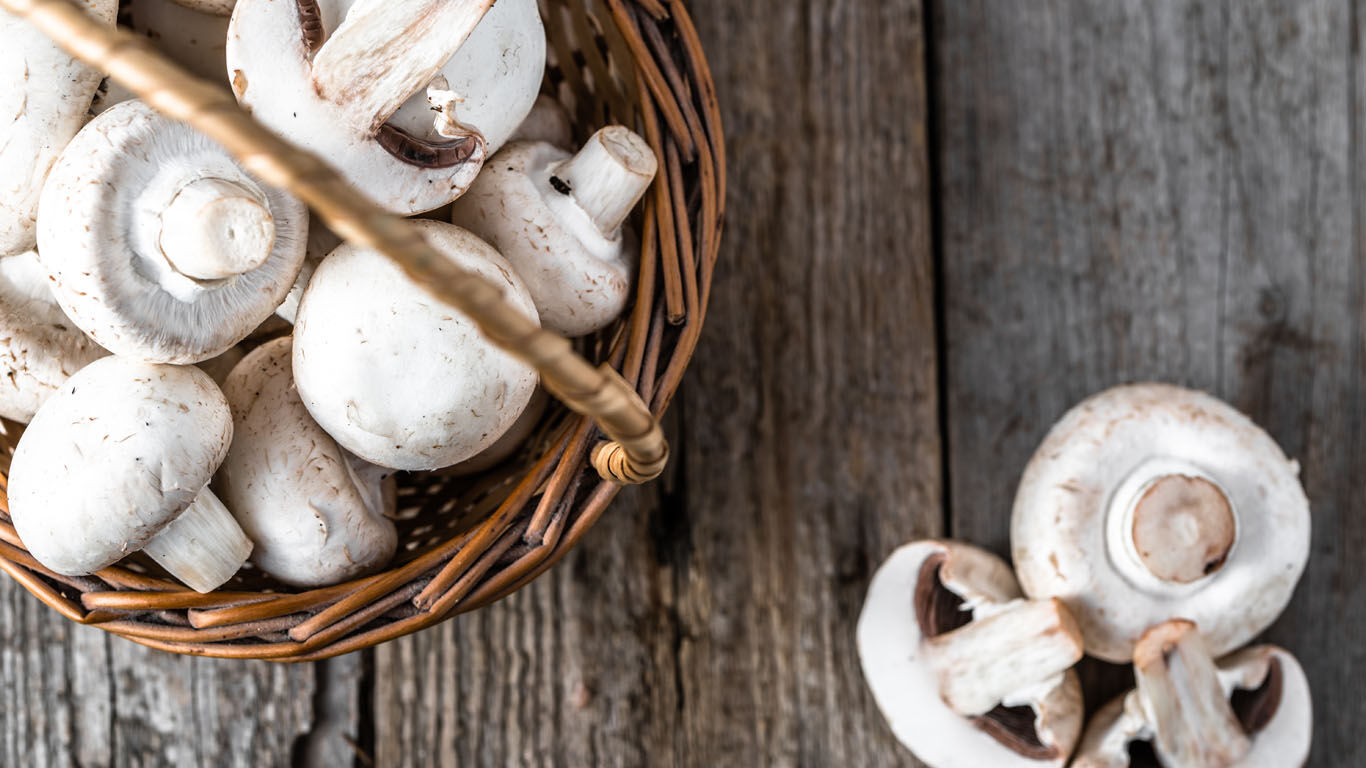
{"points": [[609, 177]]}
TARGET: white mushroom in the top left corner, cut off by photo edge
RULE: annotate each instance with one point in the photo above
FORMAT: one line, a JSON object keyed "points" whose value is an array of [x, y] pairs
{"points": [[44, 103]]}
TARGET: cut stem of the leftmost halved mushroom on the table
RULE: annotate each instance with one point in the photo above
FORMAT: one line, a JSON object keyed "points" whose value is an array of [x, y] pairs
{"points": [[984, 663]]}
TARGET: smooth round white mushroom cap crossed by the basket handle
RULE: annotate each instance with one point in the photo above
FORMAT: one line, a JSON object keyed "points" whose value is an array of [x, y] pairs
{"points": [[397, 378]]}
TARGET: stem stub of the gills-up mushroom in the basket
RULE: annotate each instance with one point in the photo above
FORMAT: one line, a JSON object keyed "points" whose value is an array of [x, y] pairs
{"points": [[217, 229]]}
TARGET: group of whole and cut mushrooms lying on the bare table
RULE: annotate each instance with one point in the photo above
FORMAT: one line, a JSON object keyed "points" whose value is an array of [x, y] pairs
{"points": [[1160, 528]]}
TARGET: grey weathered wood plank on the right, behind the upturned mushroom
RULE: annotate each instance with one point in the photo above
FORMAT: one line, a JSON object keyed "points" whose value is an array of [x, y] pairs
{"points": [[1162, 191]]}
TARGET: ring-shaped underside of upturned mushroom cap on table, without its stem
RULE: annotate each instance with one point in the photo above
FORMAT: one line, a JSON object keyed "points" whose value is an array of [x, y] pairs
{"points": [[1059, 528]]}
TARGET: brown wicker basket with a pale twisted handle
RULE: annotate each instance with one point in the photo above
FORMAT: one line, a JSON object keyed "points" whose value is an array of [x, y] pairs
{"points": [[464, 542]]}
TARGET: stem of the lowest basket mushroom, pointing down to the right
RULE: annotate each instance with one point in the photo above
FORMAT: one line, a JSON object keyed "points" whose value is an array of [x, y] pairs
{"points": [[204, 547]]}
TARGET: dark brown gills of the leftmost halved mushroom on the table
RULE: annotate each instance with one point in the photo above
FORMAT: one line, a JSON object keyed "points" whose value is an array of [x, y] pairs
{"points": [[938, 612]]}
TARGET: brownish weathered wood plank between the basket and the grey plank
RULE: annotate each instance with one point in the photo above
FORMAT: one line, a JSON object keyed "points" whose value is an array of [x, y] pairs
{"points": [[710, 621]]}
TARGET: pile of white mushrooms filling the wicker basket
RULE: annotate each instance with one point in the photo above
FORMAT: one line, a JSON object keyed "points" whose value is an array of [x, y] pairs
{"points": [[208, 376]]}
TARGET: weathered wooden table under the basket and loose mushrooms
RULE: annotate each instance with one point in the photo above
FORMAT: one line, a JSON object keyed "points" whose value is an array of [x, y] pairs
{"points": [[943, 233]]}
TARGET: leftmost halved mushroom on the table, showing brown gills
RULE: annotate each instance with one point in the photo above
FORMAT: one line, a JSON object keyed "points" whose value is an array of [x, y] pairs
{"points": [[966, 672]]}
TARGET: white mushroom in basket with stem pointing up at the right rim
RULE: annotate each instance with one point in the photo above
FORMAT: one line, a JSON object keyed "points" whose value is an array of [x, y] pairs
{"points": [[558, 219]]}
